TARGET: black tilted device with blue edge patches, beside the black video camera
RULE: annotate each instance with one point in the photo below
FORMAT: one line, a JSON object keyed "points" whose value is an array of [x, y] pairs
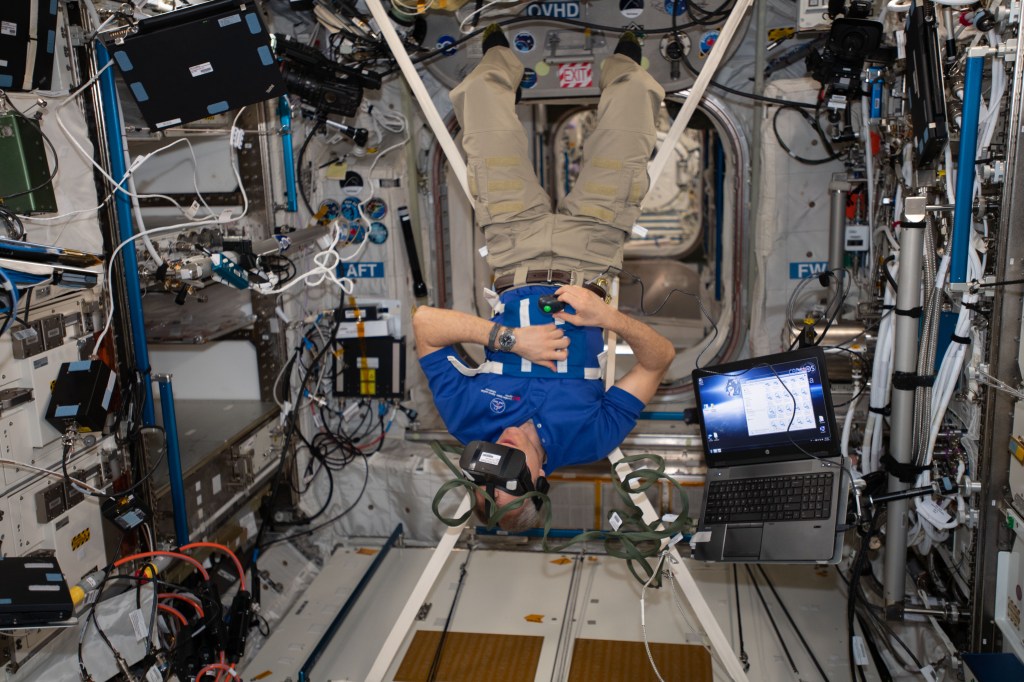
{"points": [[198, 62]]}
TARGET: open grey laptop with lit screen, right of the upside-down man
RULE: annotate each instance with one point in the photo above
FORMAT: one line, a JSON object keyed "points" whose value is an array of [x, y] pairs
{"points": [[776, 489]]}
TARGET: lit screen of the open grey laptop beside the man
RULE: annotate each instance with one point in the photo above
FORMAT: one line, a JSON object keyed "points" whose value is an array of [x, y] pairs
{"points": [[777, 405]]}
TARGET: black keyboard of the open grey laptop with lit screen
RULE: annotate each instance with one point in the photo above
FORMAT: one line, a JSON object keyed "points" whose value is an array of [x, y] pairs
{"points": [[794, 498]]}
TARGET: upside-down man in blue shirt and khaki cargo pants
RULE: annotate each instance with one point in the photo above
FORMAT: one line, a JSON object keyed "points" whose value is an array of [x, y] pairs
{"points": [[540, 390]]}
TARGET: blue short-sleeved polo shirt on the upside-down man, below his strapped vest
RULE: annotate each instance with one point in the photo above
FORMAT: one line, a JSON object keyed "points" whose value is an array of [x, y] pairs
{"points": [[577, 420]]}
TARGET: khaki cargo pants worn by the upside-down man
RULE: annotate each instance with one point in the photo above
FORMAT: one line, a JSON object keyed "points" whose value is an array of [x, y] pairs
{"points": [[587, 233]]}
